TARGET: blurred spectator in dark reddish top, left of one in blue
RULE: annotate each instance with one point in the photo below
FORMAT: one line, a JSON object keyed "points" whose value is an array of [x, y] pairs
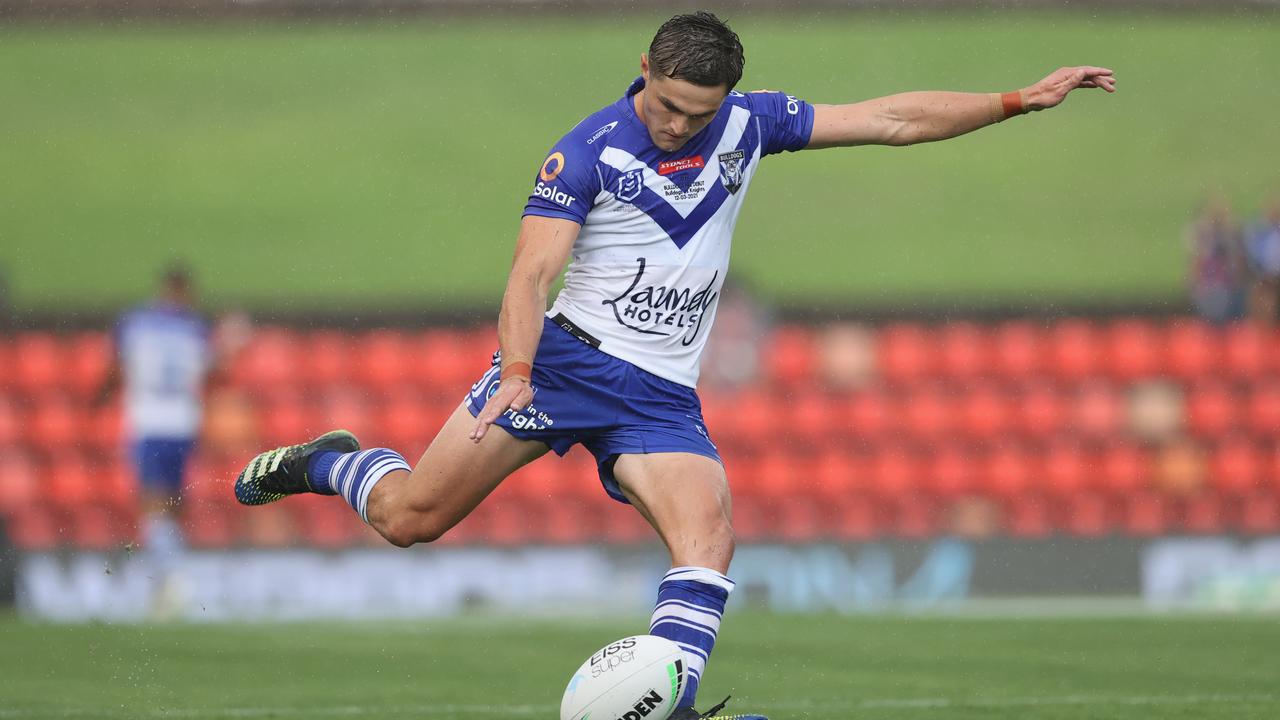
{"points": [[1218, 263]]}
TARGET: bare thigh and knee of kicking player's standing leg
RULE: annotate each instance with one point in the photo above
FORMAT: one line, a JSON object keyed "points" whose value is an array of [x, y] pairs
{"points": [[687, 499]]}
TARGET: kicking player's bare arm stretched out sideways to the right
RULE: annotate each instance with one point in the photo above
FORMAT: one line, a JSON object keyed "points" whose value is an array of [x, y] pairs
{"points": [[926, 117]]}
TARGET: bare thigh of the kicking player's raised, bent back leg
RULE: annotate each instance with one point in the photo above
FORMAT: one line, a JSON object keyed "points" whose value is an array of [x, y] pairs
{"points": [[456, 473]]}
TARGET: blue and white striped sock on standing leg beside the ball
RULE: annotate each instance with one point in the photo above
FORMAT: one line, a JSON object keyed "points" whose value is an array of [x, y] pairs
{"points": [[691, 607]]}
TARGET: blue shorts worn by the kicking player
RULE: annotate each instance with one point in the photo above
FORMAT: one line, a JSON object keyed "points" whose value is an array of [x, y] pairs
{"points": [[586, 397]]}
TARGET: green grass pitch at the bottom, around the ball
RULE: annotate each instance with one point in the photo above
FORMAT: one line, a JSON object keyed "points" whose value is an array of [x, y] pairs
{"points": [[789, 667]]}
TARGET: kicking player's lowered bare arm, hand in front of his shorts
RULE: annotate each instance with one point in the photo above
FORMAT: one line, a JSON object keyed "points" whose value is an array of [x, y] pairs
{"points": [[542, 249]]}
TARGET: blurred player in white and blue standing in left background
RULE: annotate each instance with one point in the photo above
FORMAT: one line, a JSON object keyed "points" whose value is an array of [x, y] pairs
{"points": [[164, 358]]}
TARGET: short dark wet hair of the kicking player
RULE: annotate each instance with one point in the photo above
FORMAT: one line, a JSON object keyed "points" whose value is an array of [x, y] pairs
{"points": [[698, 48]]}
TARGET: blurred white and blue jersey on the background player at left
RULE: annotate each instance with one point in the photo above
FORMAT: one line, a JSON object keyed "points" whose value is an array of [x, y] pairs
{"points": [[166, 354]]}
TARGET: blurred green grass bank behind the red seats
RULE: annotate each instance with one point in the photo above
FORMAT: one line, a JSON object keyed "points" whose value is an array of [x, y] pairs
{"points": [[301, 167]]}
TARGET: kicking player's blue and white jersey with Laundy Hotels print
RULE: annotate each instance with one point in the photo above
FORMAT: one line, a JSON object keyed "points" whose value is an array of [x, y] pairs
{"points": [[651, 259]]}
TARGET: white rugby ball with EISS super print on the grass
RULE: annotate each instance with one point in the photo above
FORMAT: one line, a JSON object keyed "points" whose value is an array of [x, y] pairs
{"points": [[637, 678]]}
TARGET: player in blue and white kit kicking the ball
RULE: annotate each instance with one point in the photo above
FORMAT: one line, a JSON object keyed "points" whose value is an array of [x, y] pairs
{"points": [[644, 195]]}
